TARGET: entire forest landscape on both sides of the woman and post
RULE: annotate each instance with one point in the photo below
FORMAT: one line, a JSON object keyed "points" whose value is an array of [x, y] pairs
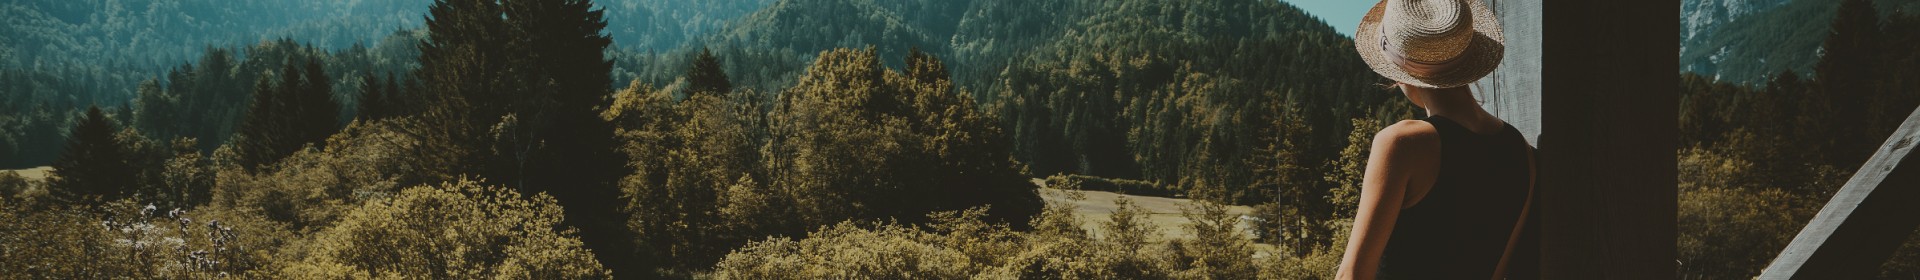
{"points": [[786, 139]]}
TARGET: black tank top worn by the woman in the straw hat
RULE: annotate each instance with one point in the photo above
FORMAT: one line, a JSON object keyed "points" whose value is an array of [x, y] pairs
{"points": [[1462, 225]]}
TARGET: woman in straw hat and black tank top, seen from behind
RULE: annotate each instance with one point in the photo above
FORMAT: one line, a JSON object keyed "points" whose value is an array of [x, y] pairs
{"points": [[1443, 197]]}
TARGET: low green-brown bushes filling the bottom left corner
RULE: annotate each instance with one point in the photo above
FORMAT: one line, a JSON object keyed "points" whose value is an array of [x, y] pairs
{"points": [[128, 241]]}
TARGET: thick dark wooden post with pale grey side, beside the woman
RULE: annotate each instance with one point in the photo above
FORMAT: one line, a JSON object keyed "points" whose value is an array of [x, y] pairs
{"points": [[1595, 87]]}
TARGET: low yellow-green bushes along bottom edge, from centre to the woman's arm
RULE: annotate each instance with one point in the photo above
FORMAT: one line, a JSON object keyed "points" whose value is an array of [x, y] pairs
{"points": [[959, 245]]}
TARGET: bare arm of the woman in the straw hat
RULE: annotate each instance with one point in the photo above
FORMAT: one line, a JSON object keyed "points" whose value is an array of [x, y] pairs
{"points": [[1399, 152]]}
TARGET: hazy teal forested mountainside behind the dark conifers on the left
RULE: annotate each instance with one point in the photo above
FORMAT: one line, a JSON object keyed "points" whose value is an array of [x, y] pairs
{"points": [[59, 57]]}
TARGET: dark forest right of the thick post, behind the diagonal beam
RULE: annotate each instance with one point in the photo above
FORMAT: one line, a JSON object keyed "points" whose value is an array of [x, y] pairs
{"points": [[1760, 160]]}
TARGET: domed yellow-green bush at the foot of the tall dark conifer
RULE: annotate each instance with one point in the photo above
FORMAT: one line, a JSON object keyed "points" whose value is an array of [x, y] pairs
{"points": [[452, 231]]}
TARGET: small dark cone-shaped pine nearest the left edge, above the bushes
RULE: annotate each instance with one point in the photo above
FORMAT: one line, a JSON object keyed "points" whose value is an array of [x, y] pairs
{"points": [[95, 168]]}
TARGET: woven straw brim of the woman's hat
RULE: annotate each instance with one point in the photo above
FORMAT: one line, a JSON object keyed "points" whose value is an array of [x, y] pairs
{"points": [[1483, 53]]}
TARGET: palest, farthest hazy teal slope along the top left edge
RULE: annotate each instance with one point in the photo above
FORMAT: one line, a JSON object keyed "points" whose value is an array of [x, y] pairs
{"points": [[172, 32]]}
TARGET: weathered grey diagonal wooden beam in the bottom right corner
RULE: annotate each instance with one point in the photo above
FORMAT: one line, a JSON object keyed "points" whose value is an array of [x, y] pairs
{"points": [[1865, 222]]}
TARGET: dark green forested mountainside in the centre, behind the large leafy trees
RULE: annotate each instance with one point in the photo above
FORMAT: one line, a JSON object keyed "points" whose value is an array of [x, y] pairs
{"points": [[1061, 53]]}
